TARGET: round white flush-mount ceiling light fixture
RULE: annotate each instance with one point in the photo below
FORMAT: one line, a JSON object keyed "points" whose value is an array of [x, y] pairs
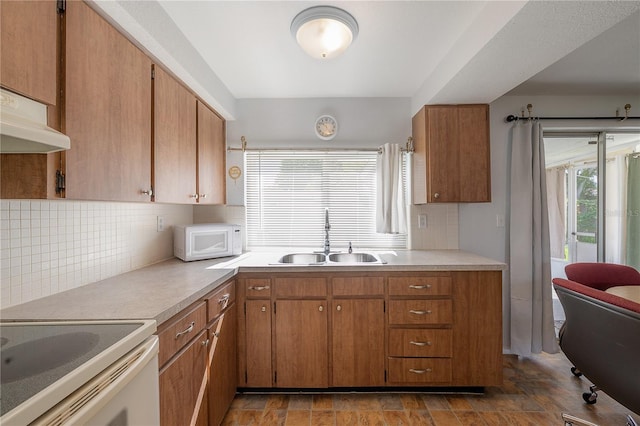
{"points": [[324, 31]]}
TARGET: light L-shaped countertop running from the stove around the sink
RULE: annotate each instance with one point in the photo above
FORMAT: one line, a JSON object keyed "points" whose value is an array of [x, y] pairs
{"points": [[160, 291]]}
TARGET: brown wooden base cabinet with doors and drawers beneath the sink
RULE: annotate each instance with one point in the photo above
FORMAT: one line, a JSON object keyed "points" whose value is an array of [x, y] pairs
{"points": [[374, 329]]}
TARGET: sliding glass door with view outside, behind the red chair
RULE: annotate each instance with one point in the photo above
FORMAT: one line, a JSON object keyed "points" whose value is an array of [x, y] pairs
{"points": [[593, 185]]}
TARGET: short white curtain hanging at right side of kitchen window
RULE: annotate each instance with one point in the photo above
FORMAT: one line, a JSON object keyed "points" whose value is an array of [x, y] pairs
{"points": [[390, 206]]}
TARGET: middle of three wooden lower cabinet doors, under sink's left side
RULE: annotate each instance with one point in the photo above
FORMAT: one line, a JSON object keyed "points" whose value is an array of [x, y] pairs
{"points": [[301, 344]]}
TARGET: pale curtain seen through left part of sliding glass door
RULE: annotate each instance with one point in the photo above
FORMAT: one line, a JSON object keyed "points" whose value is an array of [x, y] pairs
{"points": [[556, 182]]}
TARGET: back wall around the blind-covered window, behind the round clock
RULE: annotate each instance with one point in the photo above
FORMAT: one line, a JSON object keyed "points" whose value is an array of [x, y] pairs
{"points": [[362, 123]]}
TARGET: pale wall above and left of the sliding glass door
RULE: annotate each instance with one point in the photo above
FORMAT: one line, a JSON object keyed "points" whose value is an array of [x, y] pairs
{"points": [[478, 232]]}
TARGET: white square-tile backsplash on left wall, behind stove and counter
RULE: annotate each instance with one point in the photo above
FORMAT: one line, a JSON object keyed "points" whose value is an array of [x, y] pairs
{"points": [[51, 246]]}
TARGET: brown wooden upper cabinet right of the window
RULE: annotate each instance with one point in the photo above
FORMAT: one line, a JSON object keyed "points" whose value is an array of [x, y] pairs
{"points": [[452, 154]]}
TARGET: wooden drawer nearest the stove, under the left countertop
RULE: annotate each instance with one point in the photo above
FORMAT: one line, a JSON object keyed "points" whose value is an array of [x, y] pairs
{"points": [[180, 329]]}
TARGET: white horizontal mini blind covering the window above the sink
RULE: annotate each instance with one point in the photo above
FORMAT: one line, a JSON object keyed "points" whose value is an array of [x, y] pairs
{"points": [[287, 192]]}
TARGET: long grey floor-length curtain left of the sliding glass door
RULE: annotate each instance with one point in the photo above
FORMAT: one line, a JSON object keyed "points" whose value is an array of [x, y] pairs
{"points": [[532, 329]]}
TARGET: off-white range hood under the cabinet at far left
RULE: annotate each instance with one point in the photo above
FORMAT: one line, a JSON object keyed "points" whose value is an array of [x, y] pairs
{"points": [[23, 127]]}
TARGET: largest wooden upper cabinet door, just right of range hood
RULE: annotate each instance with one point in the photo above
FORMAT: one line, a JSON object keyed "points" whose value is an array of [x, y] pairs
{"points": [[107, 111]]}
